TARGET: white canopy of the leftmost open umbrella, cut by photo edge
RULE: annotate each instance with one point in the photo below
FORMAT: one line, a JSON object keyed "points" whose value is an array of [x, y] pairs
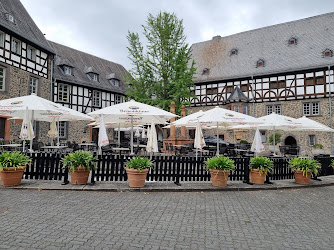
{"points": [[44, 110]]}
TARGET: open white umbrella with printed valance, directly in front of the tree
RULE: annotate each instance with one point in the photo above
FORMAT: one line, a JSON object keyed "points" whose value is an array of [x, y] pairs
{"points": [[133, 113]]}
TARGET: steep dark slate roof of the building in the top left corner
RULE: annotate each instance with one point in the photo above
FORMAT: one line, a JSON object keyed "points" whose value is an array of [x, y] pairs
{"points": [[24, 26]]}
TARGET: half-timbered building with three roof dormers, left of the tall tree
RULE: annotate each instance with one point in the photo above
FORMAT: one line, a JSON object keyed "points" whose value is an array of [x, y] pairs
{"points": [[85, 83]]}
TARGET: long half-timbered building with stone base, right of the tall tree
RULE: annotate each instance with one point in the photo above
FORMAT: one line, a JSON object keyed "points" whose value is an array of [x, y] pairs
{"points": [[285, 68]]}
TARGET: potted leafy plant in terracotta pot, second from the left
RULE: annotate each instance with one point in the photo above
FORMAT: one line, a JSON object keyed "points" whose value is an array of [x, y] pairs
{"points": [[80, 162]]}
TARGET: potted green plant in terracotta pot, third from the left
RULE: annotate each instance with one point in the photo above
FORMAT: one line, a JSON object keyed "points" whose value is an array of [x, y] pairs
{"points": [[137, 169]]}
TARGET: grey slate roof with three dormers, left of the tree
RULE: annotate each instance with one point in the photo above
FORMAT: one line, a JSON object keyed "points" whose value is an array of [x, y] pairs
{"points": [[84, 63]]}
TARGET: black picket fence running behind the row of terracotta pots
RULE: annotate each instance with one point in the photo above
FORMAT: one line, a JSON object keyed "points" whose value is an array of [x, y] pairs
{"points": [[47, 166]]}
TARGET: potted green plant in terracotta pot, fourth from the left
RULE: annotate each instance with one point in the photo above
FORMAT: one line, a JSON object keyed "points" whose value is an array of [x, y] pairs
{"points": [[220, 168]]}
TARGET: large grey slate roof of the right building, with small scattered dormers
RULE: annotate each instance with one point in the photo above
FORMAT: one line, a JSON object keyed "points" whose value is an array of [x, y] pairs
{"points": [[314, 35]]}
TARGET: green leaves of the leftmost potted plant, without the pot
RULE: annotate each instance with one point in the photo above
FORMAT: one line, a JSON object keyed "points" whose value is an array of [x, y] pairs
{"points": [[13, 159]]}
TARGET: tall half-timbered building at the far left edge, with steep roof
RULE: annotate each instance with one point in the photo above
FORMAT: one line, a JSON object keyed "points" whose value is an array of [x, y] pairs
{"points": [[25, 63]]}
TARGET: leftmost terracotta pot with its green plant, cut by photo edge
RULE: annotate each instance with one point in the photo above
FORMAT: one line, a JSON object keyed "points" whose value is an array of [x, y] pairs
{"points": [[12, 166]]}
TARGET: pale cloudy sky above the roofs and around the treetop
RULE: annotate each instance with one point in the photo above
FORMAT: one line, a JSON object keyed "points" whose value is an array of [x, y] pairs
{"points": [[100, 27]]}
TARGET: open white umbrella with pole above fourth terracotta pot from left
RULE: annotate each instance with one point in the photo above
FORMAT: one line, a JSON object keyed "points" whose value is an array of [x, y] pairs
{"points": [[224, 117]]}
